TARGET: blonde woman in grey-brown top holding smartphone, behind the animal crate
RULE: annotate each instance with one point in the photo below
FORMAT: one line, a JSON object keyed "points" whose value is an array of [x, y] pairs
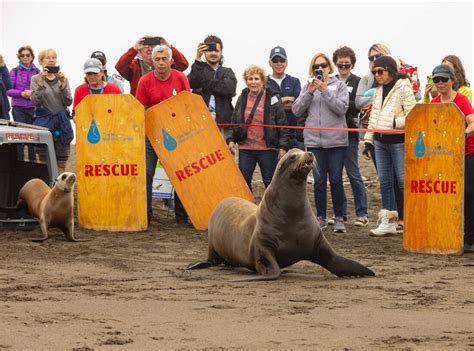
{"points": [[51, 96]]}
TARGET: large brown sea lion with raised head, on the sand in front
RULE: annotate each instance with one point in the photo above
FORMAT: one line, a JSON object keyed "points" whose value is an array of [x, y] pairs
{"points": [[279, 232]]}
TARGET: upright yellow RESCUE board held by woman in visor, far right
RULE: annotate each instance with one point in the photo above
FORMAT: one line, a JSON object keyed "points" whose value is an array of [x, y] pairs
{"points": [[434, 180]]}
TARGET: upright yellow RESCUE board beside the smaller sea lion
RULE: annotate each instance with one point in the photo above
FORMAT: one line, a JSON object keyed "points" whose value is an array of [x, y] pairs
{"points": [[111, 174]]}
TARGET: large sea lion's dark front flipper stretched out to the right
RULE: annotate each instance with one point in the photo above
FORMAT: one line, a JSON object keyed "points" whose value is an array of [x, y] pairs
{"points": [[325, 256]]}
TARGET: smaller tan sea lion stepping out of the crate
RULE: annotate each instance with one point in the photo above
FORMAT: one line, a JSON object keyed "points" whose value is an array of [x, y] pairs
{"points": [[52, 208]]}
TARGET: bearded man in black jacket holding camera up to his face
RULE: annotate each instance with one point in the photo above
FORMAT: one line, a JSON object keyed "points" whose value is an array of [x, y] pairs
{"points": [[215, 83]]}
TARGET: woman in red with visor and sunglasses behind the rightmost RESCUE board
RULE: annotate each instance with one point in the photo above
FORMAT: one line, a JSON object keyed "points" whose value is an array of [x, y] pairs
{"points": [[446, 84]]}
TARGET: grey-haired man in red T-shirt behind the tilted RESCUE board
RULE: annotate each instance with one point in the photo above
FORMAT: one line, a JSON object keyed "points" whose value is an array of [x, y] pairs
{"points": [[158, 85]]}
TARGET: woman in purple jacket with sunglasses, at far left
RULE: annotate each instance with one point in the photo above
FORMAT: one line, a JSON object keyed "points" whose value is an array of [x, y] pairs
{"points": [[20, 76]]}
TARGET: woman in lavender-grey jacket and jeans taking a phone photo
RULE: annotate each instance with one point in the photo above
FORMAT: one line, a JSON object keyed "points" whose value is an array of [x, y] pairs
{"points": [[325, 99]]}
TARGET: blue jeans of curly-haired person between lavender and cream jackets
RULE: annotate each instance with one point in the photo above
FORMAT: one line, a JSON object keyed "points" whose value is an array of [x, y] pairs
{"points": [[351, 163]]}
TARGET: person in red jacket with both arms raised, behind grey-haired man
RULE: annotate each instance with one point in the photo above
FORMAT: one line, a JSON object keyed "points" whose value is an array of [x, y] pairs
{"points": [[137, 61]]}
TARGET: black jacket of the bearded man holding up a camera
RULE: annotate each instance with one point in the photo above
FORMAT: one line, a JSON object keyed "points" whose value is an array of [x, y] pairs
{"points": [[222, 84]]}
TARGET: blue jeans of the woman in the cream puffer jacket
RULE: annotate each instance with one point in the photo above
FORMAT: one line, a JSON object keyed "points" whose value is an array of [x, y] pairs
{"points": [[390, 164]]}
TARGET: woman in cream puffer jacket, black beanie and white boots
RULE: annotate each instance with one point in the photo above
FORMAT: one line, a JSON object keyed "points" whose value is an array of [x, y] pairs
{"points": [[393, 100]]}
